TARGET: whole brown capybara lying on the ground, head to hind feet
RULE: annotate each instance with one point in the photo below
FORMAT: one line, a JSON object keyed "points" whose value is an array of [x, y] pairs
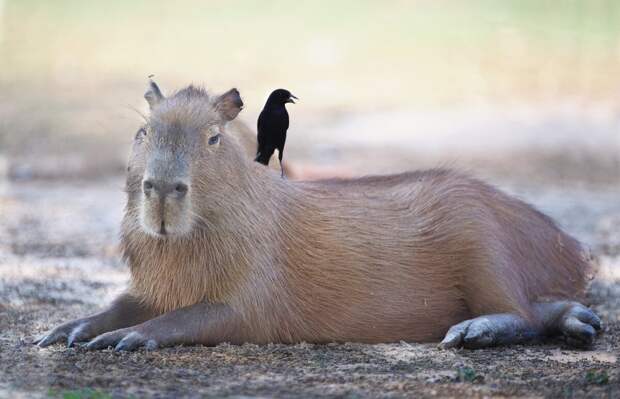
{"points": [[220, 249]]}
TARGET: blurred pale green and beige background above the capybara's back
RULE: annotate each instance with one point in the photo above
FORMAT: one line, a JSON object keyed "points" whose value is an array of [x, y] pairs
{"points": [[524, 89]]}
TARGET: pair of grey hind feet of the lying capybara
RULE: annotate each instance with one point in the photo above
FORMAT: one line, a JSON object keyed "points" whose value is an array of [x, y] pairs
{"points": [[575, 322]]}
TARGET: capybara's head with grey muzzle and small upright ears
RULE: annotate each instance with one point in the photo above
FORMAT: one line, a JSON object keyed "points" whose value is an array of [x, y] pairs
{"points": [[181, 159]]}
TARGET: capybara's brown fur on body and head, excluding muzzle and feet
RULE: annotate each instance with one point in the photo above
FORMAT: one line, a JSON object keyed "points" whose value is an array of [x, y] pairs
{"points": [[374, 259]]}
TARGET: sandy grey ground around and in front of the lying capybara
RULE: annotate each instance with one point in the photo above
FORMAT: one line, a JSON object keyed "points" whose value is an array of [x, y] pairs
{"points": [[58, 261]]}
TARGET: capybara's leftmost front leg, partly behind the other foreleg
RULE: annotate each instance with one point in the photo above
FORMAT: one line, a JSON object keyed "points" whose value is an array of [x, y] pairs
{"points": [[125, 311]]}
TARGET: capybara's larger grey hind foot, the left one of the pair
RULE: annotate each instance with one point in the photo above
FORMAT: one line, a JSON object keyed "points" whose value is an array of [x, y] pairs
{"points": [[487, 331]]}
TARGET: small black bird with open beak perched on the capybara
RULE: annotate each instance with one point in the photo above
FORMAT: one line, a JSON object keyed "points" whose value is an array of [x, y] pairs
{"points": [[272, 126]]}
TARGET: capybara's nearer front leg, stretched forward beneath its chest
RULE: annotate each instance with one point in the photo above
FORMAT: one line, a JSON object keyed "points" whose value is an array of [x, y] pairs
{"points": [[197, 324]]}
